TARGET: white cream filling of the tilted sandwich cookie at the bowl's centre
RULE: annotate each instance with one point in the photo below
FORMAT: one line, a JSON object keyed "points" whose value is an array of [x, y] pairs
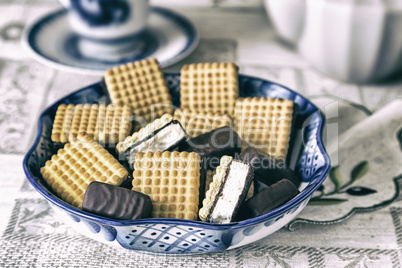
{"points": [[165, 138]]}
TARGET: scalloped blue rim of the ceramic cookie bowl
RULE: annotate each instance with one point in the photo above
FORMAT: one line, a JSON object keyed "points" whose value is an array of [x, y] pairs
{"points": [[302, 196]]}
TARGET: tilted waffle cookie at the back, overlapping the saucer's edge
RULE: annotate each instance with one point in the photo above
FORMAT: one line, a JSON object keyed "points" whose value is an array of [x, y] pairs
{"points": [[141, 85]]}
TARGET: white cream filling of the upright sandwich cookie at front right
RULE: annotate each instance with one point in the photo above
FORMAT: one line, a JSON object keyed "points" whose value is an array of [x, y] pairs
{"points": [[229, 197]]}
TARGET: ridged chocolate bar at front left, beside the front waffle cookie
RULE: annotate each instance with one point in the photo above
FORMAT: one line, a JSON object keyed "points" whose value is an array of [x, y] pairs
{"points": [[114, 202]]}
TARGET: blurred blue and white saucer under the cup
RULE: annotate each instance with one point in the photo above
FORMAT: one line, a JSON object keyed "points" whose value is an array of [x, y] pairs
{"points": [[169, 38]]}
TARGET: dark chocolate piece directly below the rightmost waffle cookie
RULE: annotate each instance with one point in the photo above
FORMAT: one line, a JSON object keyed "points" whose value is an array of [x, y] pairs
{"points": [[268, 169]]}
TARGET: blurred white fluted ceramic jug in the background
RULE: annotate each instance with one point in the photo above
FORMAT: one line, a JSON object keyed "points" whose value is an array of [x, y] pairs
{"points": [[351, 40]]}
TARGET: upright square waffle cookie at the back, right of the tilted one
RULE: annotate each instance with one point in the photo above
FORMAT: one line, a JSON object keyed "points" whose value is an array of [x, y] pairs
{"points": [[209, 87]]}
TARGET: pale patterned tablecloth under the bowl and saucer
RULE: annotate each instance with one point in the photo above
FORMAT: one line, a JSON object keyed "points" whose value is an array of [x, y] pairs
{"points": [[364, 231]]}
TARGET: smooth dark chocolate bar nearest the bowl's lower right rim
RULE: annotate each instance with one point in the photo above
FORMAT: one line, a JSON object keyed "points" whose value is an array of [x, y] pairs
{"points": [[271, 198]]}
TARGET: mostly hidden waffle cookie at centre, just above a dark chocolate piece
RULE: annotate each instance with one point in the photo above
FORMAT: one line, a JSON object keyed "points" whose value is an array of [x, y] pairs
{"points": [[197, 122]]}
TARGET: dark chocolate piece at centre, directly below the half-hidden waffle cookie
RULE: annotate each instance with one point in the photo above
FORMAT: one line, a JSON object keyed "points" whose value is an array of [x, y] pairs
{"points": [[213, 145]]}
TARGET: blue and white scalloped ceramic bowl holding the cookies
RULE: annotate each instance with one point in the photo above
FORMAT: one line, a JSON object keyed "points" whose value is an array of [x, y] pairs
{"points": [[174, 236]]}
